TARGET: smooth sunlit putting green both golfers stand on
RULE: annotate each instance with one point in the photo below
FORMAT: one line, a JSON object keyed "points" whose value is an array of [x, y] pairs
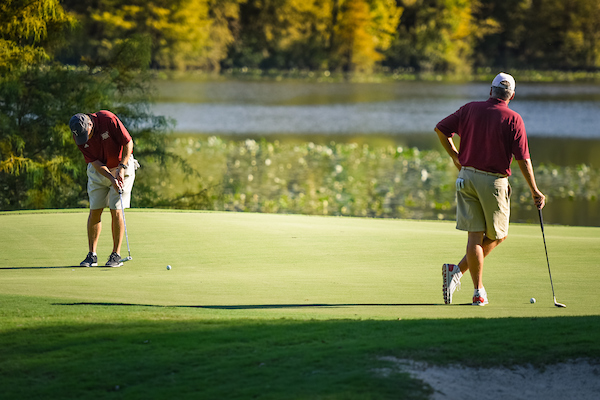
{"points": [[295, 266]]}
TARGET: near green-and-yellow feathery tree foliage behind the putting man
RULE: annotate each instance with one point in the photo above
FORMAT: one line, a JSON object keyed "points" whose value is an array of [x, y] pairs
{"points": [[40, 166]]}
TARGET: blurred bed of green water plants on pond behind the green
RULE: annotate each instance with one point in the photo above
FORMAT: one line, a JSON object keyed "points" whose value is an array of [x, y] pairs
{"points": [[337, 179]]}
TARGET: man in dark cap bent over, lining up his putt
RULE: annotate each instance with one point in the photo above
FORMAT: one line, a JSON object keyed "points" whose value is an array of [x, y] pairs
{"points": [[107, 148]]}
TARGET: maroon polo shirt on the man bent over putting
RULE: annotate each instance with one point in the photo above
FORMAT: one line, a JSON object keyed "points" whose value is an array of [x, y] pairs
{"points": [[107, 141]]}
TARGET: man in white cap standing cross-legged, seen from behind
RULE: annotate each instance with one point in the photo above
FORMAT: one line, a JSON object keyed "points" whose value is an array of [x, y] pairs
{"points": [[490, 134]]}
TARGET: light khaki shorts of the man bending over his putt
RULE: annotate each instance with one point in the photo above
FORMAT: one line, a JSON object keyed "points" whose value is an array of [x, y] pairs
{"points": [[101, 192]]}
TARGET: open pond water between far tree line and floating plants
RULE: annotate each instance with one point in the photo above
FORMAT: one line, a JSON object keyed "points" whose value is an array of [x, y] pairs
{"points": [[562, 120]]}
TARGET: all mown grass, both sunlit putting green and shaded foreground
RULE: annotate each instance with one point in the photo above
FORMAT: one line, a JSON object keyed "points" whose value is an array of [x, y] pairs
{"points": [[276, 306]]}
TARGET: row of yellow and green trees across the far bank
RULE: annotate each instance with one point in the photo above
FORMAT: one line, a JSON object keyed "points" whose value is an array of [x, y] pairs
{"points": [[449, 36]]}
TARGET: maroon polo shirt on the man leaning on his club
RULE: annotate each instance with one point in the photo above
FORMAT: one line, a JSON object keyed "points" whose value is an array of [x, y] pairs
{"points": [[490, 134]]}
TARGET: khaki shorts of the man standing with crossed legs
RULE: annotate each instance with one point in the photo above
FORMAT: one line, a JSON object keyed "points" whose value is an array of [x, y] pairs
{"points": [[483, 205]]}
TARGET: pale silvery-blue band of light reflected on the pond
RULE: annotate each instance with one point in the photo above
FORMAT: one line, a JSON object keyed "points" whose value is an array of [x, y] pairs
{"points": [[546, 119]]}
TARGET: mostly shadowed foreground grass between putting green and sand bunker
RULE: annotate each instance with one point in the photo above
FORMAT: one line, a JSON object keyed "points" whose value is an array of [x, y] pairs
{"points": [[50, 350]]}
